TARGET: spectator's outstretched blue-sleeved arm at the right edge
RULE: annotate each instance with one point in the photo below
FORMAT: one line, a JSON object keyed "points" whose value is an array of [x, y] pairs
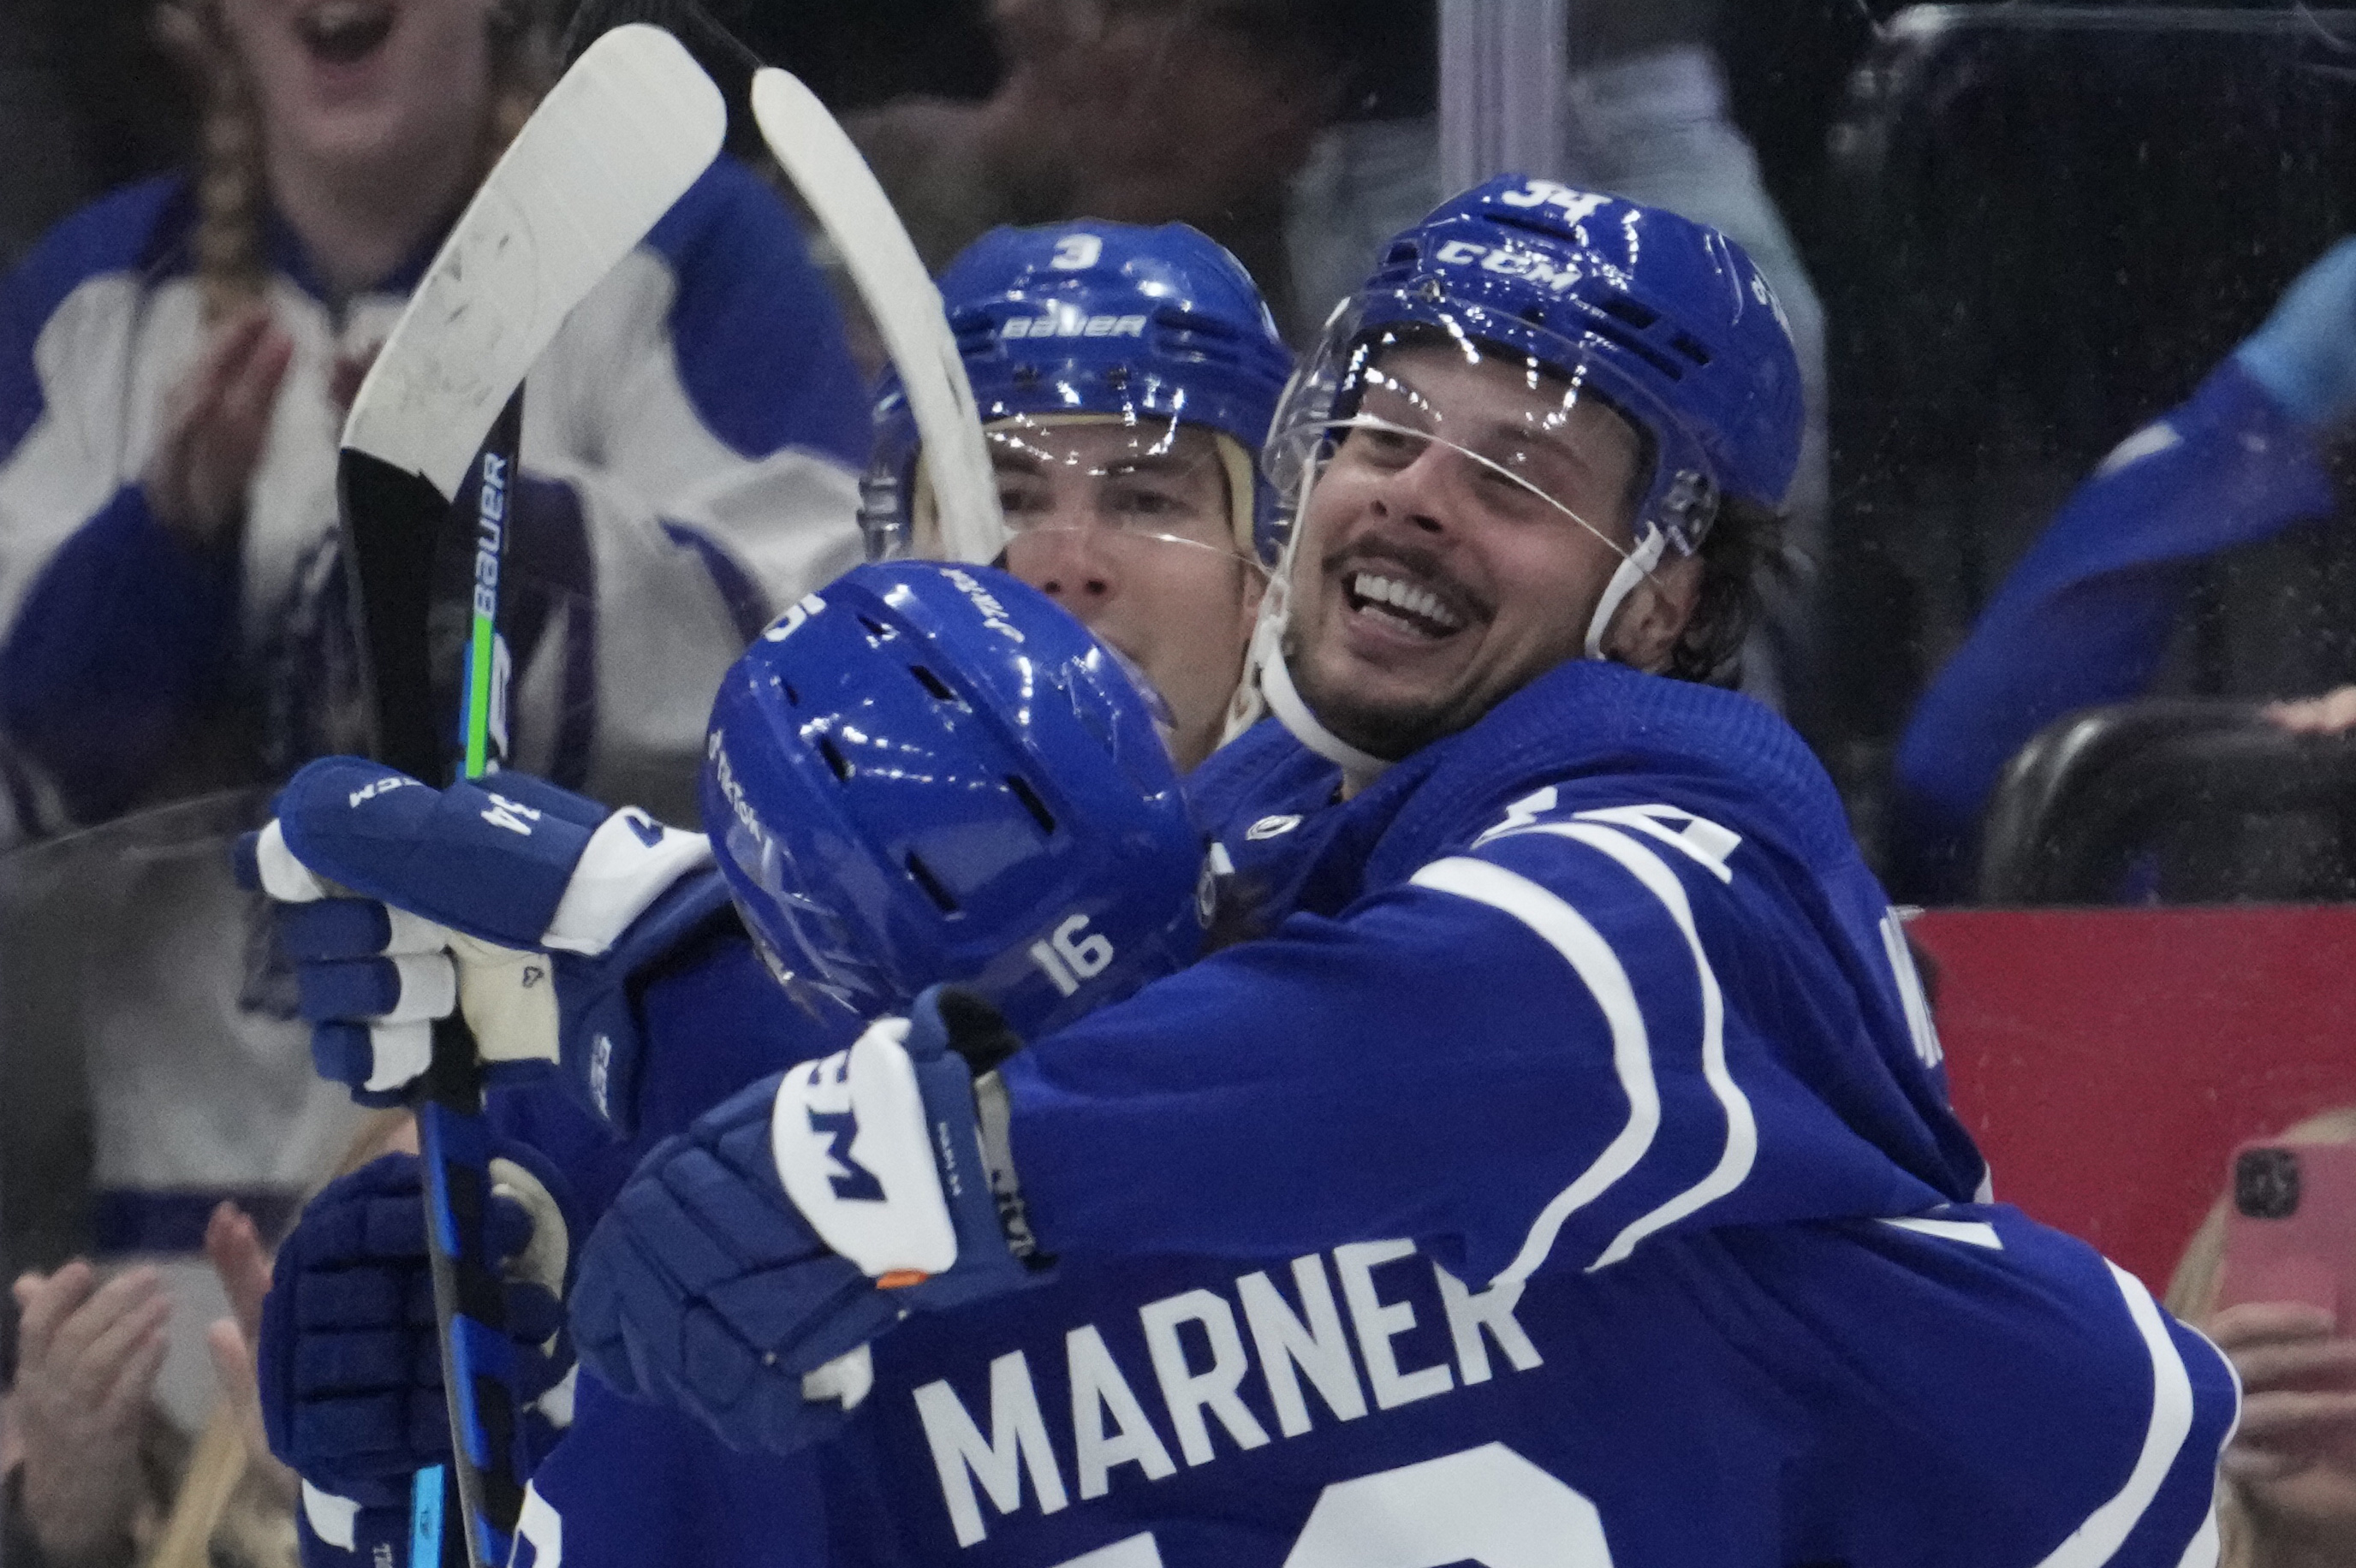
{"points": [[2091, 609]]}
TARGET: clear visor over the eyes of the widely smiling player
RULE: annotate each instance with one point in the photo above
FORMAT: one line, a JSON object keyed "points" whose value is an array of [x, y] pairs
{"points": [[1507, 427]]}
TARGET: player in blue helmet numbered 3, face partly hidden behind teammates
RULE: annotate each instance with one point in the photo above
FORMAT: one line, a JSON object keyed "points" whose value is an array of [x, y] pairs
{"points": [[1127, 380]]}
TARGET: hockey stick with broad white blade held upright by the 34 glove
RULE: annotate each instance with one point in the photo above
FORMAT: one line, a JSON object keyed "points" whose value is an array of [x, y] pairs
{"points": [[604, 157]]}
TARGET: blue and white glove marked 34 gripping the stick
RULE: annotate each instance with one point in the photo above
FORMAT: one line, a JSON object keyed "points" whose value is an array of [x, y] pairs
{"points": [[517, 901]]}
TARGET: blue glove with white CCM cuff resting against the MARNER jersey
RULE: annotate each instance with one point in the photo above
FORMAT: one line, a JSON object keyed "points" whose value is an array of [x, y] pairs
{"points": [[748, 1263]]}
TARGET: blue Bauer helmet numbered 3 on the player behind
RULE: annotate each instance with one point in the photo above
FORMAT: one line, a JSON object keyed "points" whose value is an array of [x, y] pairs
{"points": [[1101, 321]]}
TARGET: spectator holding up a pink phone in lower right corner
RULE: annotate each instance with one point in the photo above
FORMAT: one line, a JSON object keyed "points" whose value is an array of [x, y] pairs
{"points": [[2289, 1494]]}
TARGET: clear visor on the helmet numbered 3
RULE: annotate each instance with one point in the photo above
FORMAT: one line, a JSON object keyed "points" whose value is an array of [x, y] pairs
{"points": [[1111, 481]]}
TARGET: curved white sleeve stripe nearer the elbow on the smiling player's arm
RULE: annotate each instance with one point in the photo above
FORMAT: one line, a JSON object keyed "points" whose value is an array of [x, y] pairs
{"points": [[1608, 983]]}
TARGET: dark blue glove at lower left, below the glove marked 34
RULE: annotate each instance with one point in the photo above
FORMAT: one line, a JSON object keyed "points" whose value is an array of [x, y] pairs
{"points": [[350, 1364]]}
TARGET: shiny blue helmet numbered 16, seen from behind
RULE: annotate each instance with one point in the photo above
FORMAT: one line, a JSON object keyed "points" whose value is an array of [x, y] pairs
{"points": [[932, 773]]}
